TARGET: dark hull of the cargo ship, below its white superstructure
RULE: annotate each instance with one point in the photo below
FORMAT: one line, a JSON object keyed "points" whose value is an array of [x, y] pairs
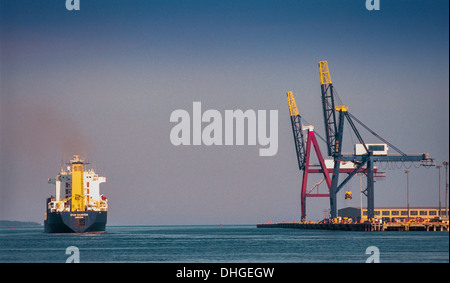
{"points": [[75, 222]]}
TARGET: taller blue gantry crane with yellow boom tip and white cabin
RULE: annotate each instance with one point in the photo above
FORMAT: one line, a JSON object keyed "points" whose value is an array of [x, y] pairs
{"points": [[366, 155]]}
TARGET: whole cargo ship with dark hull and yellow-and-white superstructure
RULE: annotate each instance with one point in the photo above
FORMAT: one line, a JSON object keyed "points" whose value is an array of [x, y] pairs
{"points": [[77, 206]]}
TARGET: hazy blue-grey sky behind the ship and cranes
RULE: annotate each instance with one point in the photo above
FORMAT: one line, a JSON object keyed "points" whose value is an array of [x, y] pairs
{"points": [[104, 80]]}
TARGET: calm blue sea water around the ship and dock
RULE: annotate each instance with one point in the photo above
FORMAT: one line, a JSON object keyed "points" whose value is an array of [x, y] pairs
{"points": [[221, 244]]}
